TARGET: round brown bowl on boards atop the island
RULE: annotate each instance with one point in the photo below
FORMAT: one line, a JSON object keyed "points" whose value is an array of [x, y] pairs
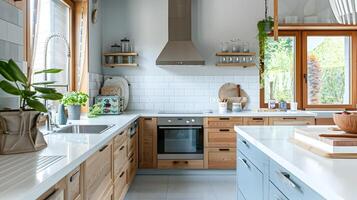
{"points": [[346, 122]]}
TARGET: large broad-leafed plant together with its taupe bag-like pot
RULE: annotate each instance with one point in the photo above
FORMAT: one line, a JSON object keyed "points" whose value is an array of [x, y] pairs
{"points": [[19, 129]]}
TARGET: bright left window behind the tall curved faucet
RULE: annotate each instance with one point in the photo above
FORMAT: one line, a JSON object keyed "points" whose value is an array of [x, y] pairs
{"points": [[48, 18]]}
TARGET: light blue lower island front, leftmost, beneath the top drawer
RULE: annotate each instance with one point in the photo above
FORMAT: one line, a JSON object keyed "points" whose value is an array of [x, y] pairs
{"points": [[250, 179]]}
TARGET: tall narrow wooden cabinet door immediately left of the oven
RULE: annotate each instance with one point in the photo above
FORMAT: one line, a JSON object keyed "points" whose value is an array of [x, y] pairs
{"points": [[148, 142]]}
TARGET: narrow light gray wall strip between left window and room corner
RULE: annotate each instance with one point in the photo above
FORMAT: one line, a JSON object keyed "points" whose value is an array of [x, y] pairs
{"points": [[95, 39]]}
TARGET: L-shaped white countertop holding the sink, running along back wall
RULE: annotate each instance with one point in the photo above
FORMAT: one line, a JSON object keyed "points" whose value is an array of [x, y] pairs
{"points": [[72, 149]]}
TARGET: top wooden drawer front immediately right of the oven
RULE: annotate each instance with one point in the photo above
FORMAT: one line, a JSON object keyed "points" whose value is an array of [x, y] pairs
{"points": [[223, 122]]}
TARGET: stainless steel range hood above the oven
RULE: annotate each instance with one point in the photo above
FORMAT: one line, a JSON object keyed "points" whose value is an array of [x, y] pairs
{"points": [[180, 49]]}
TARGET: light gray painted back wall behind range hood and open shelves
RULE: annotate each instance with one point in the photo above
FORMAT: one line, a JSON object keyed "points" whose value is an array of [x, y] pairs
{"points": [[146, 23]]}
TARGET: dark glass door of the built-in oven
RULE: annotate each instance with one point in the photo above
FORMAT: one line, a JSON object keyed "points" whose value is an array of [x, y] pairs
{"points": [[180, 140]]}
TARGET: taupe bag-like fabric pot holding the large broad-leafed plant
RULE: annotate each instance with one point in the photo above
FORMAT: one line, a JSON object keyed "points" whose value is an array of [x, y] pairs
{"points": [[19, 132]]}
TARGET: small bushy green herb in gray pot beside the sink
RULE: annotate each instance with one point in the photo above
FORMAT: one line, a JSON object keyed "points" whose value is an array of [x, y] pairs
{"points": [[73, 101]]}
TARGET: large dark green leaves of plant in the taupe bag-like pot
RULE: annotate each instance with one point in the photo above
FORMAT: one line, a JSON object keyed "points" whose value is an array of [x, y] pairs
{"points": [[18, 84]]}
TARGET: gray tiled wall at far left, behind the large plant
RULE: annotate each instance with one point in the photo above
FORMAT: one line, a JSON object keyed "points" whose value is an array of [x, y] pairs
{"points": [[11, 44]]}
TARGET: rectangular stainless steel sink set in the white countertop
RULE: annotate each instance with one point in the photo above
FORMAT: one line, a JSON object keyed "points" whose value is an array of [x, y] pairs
{"points": [[84, 129]]}
